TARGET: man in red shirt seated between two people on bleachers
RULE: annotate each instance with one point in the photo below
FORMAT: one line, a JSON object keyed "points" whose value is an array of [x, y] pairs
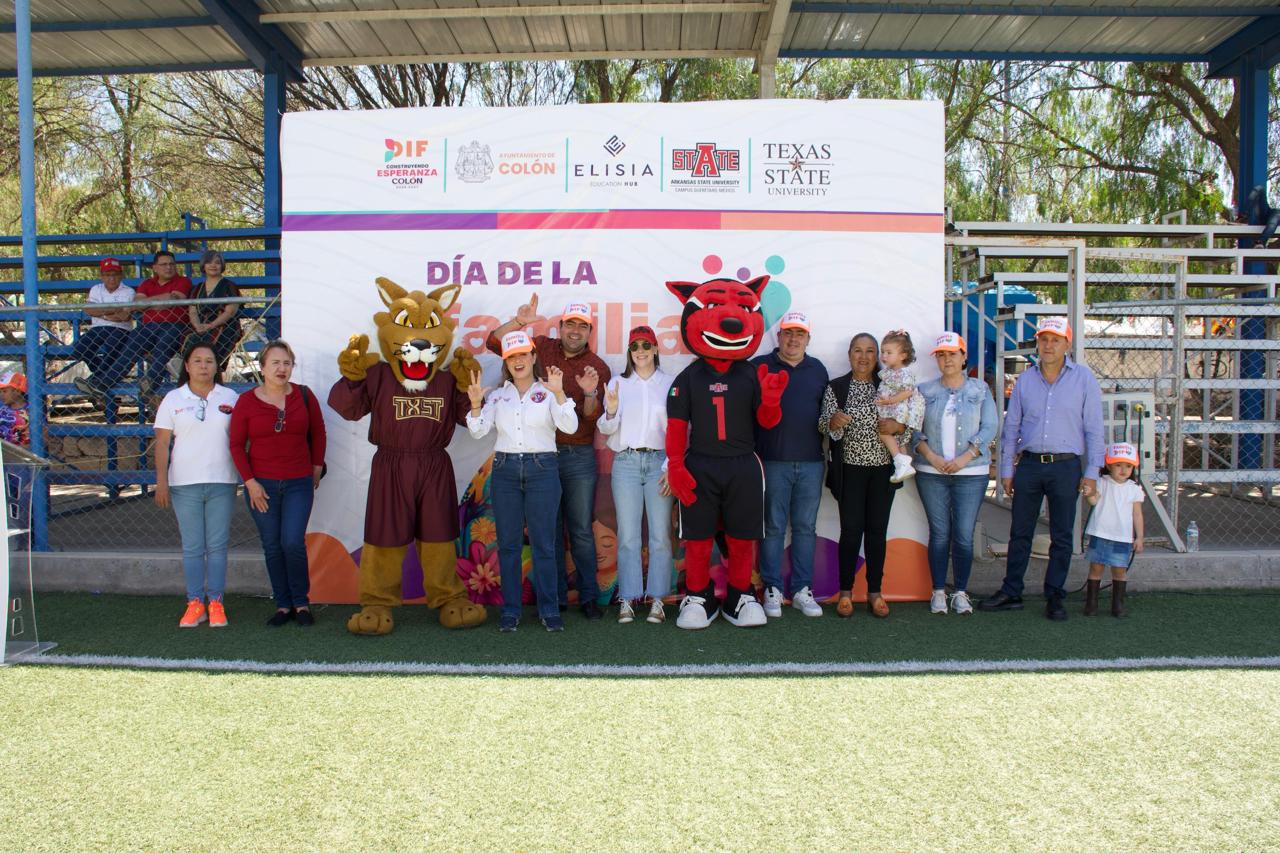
{"points": [[161, 332]]}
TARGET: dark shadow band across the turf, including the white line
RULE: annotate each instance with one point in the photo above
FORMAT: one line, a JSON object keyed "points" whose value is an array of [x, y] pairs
{"points": [[1167, 631]]}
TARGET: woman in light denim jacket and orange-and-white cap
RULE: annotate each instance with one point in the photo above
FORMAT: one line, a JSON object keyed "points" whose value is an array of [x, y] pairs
{"points": [[953, 462]]}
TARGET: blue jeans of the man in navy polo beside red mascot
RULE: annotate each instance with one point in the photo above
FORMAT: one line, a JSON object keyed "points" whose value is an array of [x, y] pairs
{"points": [[793, 492]]}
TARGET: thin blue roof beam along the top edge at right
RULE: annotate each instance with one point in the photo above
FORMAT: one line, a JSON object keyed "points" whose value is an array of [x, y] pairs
{"points": [[1044, 11]]}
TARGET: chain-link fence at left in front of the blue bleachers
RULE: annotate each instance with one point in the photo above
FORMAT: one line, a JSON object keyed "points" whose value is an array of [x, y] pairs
{"points": [[94, 403]]}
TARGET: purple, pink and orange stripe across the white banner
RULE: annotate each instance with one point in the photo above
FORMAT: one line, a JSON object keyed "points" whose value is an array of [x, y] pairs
{"points": [[623, 221]]}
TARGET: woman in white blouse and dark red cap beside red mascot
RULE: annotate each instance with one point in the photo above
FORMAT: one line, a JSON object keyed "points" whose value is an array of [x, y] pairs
{"points": [[636, 421]]}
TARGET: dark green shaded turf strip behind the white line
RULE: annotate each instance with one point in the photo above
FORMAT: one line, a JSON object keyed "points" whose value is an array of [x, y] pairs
{"points": [[1167, 624]]}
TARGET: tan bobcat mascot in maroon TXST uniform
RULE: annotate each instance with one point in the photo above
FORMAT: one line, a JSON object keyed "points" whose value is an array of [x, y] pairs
{"points": [[415, 408]]}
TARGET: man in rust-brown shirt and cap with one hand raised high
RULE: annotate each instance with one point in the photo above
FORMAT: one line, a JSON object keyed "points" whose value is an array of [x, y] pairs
{"points": [[584, 375]]}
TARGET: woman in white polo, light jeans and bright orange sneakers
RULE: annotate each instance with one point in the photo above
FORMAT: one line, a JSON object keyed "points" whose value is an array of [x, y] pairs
{"points": [[198, 478]]}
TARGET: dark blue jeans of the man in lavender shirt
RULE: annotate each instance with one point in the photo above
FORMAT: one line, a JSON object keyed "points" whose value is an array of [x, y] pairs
{"points": [[1035, 482]]}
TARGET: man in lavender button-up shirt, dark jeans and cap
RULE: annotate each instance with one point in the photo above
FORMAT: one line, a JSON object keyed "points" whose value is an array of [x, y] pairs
{"points": [[1053, 436]]}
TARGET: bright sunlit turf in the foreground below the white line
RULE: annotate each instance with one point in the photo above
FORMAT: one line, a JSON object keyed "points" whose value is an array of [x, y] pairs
{"points": [[100, 759]]}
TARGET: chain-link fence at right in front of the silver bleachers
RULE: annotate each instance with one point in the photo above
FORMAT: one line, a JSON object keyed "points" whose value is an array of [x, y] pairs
{"points": [[1197, 343]]}
